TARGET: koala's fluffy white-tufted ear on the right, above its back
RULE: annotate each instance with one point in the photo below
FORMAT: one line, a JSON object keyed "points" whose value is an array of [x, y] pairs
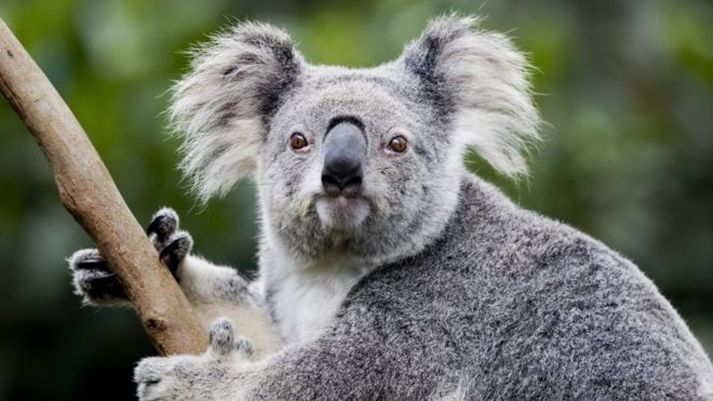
{"points": [[481, 82]]}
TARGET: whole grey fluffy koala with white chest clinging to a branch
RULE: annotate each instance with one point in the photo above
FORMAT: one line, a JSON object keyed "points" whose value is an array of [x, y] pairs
{"points": [[387, 271]]}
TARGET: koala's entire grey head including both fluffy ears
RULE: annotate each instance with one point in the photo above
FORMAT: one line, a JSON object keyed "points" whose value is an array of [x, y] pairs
{"points": [[366, 162]]}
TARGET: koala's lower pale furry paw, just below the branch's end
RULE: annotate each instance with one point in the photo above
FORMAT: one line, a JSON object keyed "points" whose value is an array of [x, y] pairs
{"points": [[190, 377]]}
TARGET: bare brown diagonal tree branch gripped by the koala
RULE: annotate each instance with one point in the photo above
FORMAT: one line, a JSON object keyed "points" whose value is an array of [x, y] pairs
{"points": [[90, 195]]}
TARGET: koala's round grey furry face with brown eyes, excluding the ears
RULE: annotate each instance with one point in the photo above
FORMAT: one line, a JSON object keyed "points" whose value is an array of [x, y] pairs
{"points": [[399, 173]]}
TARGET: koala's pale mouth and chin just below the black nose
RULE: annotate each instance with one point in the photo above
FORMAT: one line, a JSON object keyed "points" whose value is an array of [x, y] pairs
{"points": [[342, 213]]}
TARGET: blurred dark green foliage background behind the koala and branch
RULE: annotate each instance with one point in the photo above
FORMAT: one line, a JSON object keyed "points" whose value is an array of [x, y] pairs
{"points": [[626, 87]]}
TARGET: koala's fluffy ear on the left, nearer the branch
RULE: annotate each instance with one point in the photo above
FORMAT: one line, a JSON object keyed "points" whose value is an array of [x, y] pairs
{"points": [[223, 106]]}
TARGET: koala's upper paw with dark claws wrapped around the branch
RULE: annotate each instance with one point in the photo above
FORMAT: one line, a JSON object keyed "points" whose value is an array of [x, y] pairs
{"points": [[94, 279]]}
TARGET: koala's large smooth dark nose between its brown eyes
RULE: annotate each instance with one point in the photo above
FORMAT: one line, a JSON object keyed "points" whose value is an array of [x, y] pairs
{"points": [[344, 151]]}
